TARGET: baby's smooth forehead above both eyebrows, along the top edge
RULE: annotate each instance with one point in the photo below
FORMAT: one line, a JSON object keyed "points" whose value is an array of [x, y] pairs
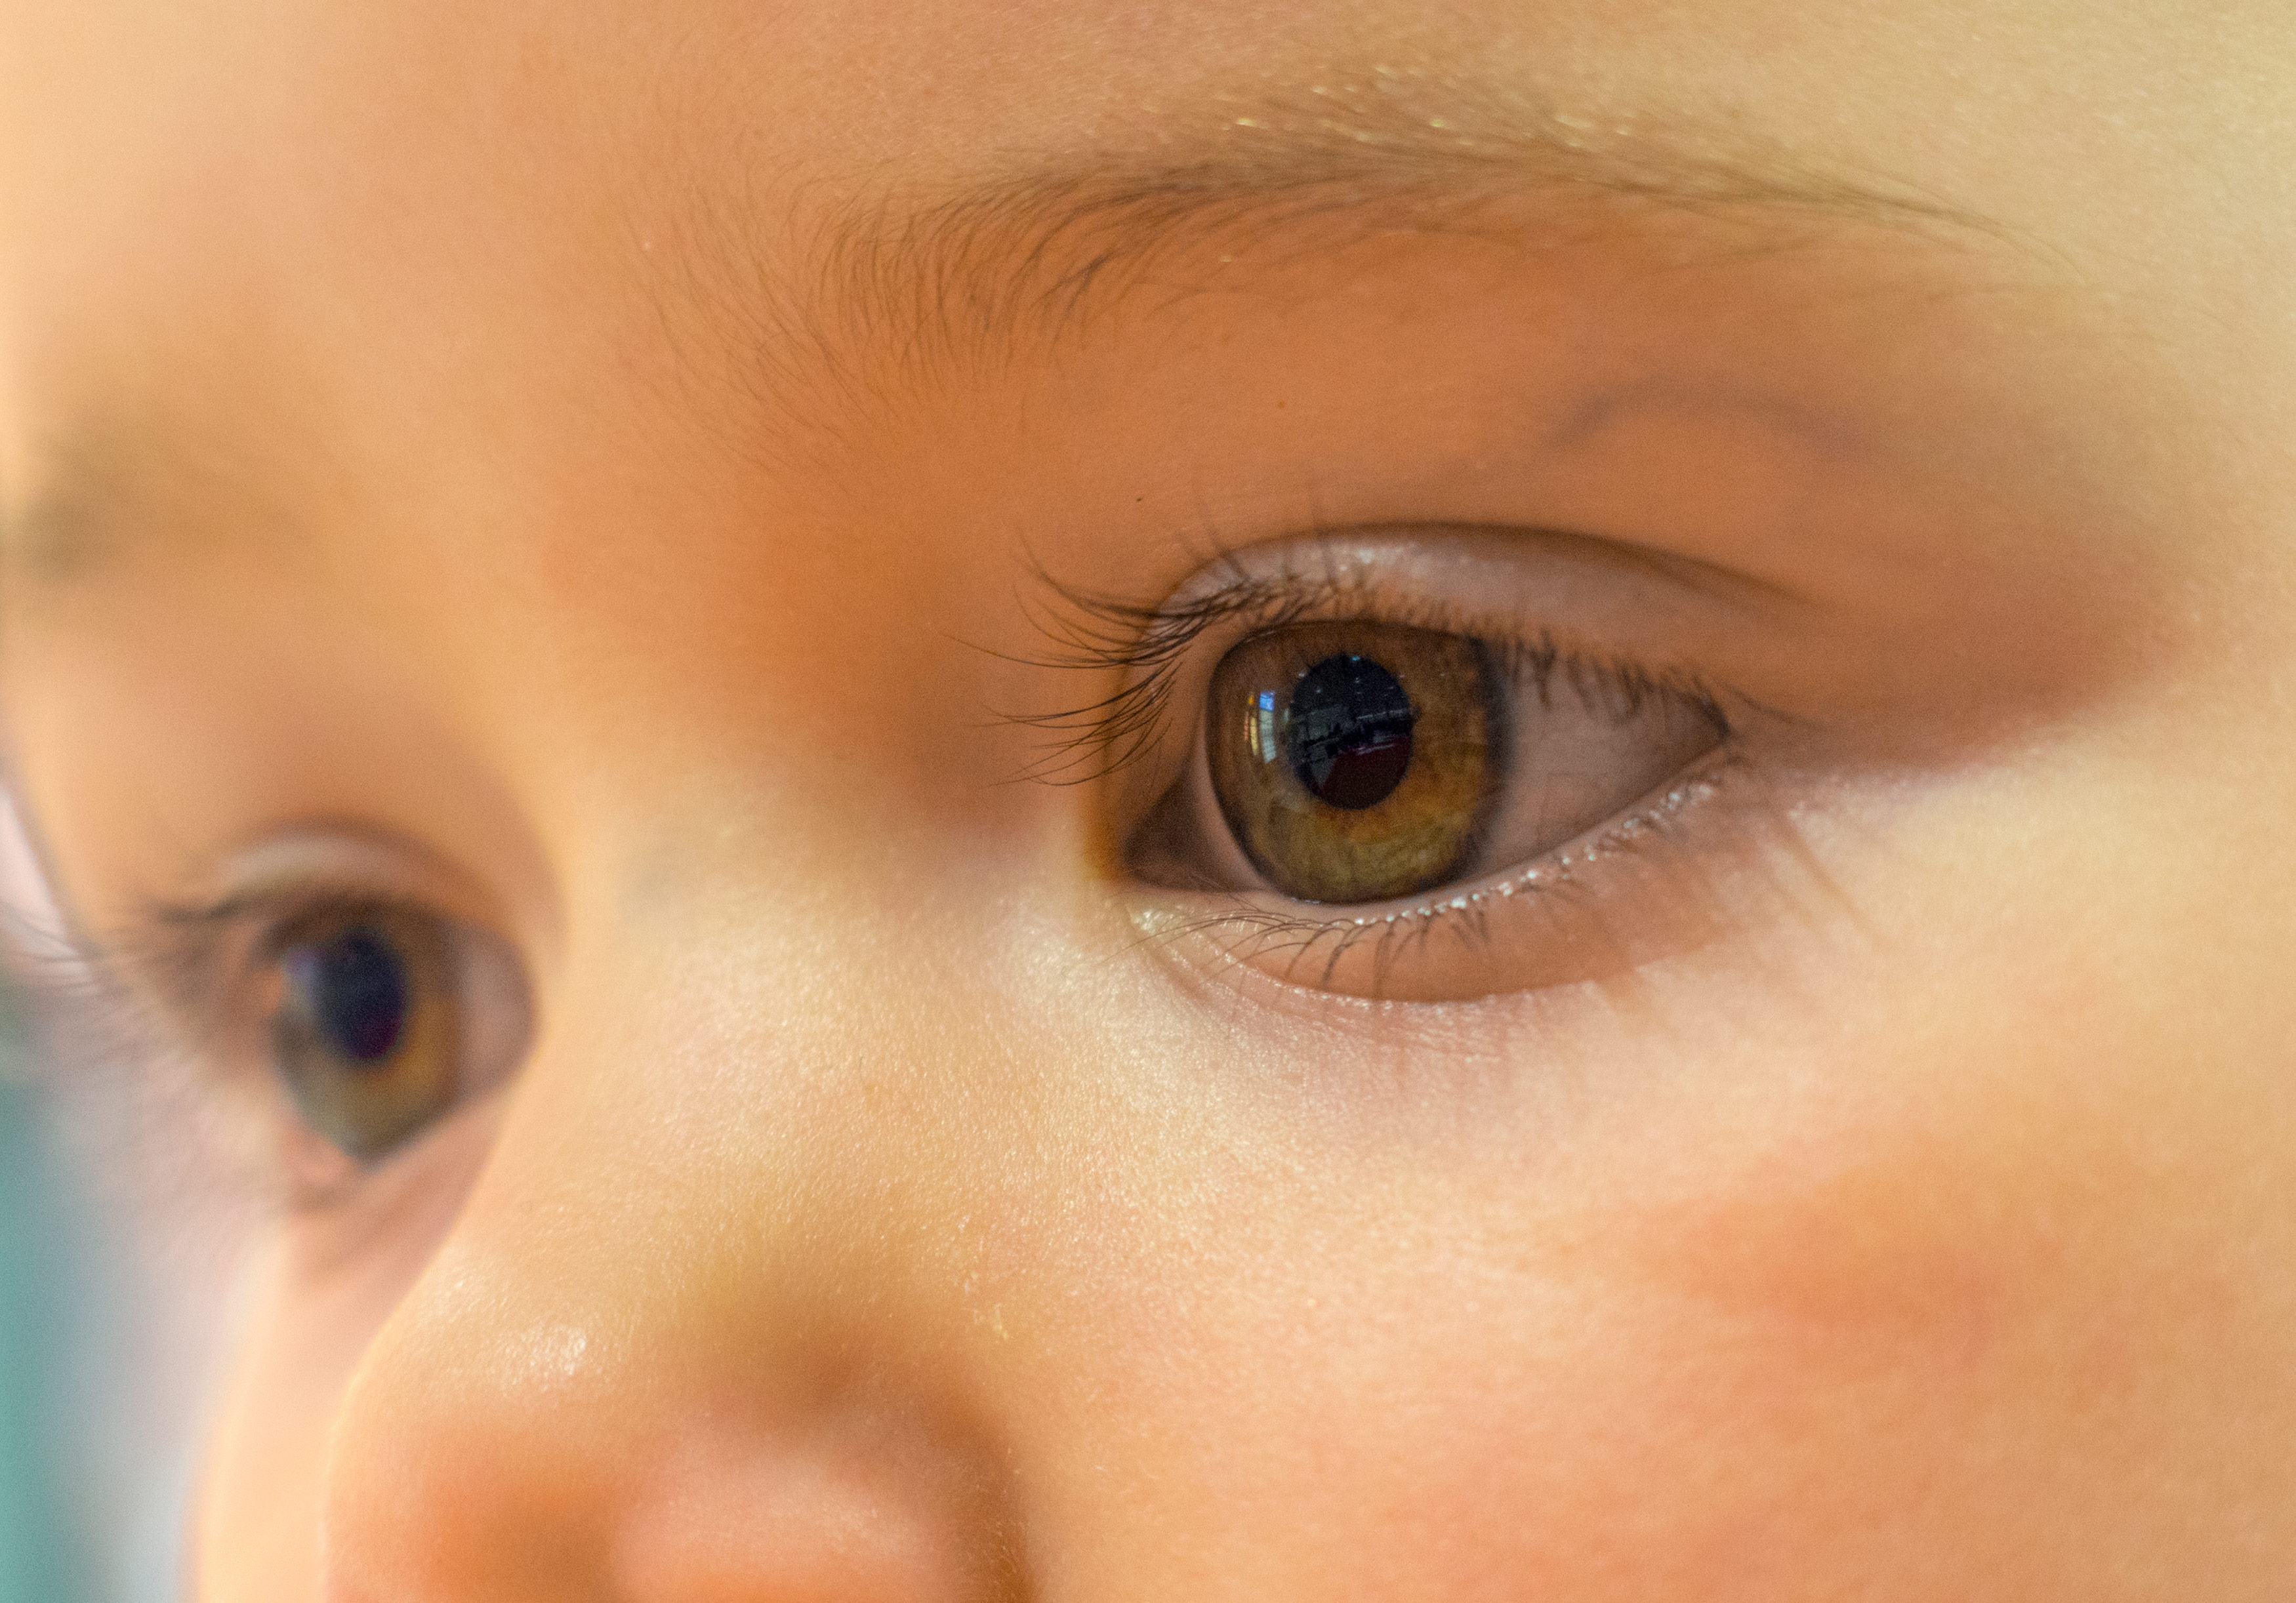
{"points": [[228, 210]]}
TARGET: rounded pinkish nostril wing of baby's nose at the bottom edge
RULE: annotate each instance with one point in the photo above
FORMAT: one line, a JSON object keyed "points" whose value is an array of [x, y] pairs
{"points": [[851, 1512]]}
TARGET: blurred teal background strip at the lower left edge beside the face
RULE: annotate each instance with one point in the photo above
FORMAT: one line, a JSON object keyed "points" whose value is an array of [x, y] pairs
{"points": [[42, 1312]]}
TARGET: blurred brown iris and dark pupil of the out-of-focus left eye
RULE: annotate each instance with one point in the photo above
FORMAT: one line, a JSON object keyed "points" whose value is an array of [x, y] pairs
{"points": [[369, 1032]]}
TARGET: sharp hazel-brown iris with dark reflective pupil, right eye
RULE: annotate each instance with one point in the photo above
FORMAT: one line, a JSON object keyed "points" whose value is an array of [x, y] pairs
{"points": [[1356, 761]]}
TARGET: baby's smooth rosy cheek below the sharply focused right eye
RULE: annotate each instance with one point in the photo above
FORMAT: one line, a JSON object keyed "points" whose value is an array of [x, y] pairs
{"points": [[1856, 1345]]}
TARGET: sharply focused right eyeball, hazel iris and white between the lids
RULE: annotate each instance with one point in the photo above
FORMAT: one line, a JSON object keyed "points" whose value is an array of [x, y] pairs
{"points": [[1365, 761]]}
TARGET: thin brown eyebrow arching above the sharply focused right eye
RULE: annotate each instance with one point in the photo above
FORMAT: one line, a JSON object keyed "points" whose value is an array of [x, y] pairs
{"points": [[993, 263]]}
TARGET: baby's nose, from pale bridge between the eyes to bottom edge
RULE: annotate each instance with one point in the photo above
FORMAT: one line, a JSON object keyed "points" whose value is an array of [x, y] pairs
{"points": [[699, 1331]]}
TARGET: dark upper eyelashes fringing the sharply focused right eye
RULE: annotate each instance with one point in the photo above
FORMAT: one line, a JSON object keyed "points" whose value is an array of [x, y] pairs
{"points": [[1149, 644]]}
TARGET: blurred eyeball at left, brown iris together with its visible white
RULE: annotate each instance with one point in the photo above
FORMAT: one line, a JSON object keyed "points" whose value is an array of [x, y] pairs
{"points": [[385, 1019]]}
